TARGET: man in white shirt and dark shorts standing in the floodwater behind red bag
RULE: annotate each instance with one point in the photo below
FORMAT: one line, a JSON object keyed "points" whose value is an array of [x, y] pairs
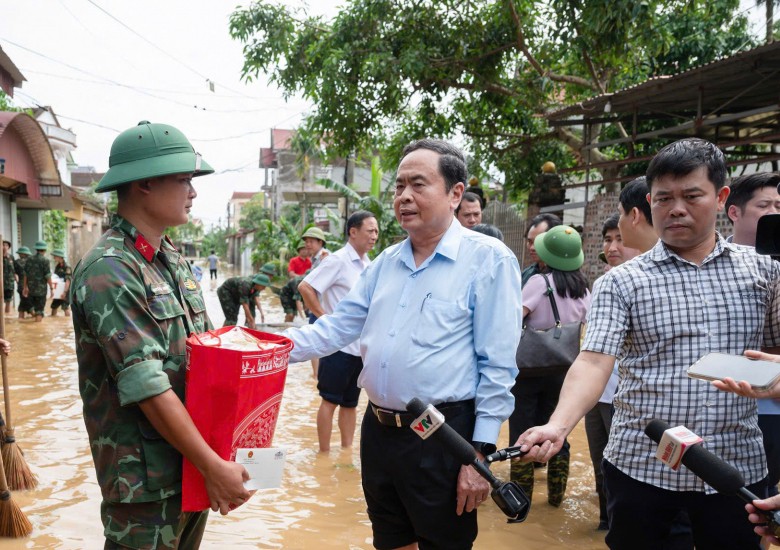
{"points": [[322, 290]]}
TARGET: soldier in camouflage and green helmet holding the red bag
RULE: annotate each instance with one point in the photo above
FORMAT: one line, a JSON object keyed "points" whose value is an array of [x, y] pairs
{"points": [[134, 302]]}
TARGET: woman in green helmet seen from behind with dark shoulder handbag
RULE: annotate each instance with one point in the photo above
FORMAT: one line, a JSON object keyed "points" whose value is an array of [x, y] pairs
{"points": [[555, 303]]}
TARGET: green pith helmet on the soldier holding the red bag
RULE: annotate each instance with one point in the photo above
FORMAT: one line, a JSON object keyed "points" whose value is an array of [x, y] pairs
{"points": [[150, 151]]}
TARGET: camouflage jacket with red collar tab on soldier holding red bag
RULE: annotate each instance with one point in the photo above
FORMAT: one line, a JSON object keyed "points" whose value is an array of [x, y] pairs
{"points": [[131, 316]]}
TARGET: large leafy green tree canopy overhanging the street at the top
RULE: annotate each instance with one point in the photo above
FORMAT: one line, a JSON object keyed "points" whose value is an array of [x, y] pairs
{"points": [[383, 72]]}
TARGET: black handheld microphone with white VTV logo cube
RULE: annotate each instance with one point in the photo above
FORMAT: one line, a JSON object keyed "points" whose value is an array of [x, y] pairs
{"points": [[508, 496]]}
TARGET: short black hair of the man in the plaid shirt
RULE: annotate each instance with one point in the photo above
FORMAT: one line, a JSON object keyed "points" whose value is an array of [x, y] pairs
{"points": [[682, 157]]}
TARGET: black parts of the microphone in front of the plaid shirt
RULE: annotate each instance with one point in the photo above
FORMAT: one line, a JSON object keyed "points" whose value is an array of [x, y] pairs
{"points": [[716, 472]]}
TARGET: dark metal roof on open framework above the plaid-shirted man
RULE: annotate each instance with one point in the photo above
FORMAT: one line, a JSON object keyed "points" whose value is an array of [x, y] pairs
{"points": [[734, 101]]}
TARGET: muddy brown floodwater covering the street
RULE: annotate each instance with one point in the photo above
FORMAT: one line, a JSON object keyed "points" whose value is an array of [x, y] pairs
{"points": [[320, 504]]}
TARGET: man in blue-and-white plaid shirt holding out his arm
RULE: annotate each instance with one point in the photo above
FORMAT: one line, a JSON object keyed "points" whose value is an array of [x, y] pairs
{"points": [[691, 294]]}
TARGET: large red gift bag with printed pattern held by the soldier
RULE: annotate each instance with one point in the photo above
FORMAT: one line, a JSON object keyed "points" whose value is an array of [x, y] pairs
{"points": [[233, 396]]}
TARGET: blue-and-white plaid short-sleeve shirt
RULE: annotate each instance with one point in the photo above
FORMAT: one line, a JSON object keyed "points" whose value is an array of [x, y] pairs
{"points": [[660, 313]]}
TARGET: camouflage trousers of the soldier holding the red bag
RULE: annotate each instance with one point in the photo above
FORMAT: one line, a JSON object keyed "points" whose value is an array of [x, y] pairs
{"points": [[155, 525]]}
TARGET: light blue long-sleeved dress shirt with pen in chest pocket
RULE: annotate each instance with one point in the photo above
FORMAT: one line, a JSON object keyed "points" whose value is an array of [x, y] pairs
{"points": [[444, 331]]}
